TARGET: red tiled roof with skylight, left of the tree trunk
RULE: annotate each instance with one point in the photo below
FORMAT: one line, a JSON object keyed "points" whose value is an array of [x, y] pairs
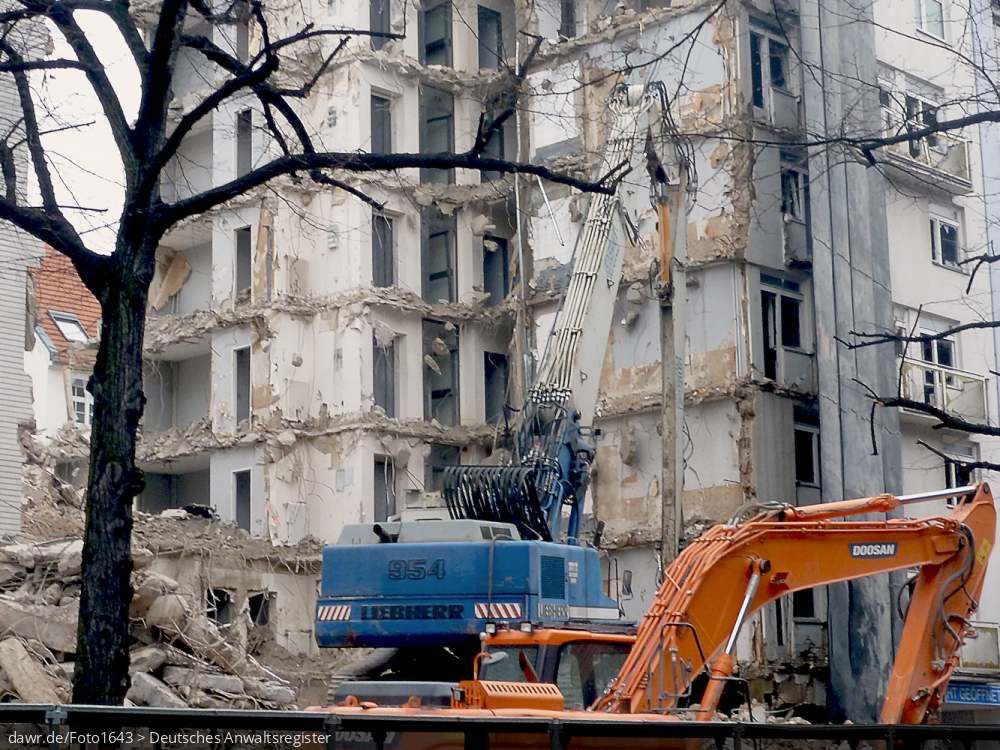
{"points": [[58, 289]]}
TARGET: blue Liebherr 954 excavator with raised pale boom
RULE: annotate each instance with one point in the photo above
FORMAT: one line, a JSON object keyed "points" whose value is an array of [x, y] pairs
{"points": [[505, 559]]}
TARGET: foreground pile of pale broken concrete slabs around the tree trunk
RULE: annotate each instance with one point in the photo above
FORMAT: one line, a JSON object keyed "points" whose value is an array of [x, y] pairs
{"points": [[181, 657]]}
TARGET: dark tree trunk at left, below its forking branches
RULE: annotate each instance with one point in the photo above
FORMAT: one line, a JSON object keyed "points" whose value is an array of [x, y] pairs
{"points": [[101, 675]]}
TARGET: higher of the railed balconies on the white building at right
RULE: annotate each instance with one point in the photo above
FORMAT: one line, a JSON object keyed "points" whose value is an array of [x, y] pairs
{"points": [[945, 163]]}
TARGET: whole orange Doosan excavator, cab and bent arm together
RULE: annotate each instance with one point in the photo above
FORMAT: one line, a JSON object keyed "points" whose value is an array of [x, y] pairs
{"points": [[717, 582]]}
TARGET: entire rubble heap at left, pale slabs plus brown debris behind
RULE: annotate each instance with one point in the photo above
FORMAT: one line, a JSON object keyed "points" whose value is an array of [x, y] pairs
{"points": [[181, 657]]}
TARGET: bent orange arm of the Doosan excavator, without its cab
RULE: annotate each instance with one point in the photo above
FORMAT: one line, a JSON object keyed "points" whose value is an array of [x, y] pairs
{"points": [[723, 578]]}
